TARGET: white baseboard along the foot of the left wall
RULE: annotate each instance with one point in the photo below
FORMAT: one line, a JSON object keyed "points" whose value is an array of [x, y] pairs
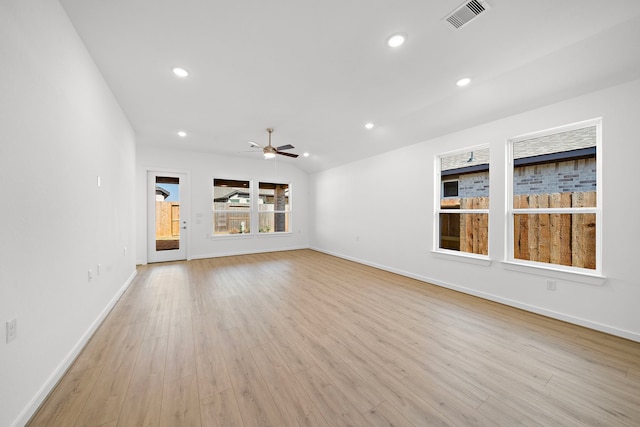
{"points": [[59, 372]]}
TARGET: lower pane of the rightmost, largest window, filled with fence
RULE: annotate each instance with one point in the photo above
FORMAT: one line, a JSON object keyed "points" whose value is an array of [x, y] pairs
{"points": [[563, 239]]}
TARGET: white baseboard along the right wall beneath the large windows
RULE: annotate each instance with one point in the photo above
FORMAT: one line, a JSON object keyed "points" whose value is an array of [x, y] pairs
{"points": [[630, 335]]}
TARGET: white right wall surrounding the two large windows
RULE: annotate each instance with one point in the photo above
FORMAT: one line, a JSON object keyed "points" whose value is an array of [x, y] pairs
{"points": [[352, 206]]}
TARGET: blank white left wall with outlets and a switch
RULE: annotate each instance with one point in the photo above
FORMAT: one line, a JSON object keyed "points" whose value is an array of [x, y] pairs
{"points": [[60, 128]]}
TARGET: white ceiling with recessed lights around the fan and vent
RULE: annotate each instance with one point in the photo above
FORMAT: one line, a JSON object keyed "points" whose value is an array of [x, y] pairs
{"points": [[316, 71]]}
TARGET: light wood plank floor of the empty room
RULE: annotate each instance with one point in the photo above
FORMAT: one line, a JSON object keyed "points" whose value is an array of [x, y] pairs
{"points": [[302, 338]]}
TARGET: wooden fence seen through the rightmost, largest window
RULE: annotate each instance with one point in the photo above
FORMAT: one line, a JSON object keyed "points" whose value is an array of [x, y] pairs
{"points": [[564, 239]]}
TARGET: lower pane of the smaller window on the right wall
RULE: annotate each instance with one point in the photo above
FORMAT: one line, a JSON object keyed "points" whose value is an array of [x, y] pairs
{"points": [[465, 232]]}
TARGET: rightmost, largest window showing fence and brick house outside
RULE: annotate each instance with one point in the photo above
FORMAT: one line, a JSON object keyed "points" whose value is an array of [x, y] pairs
{"points": [[554, 197]]}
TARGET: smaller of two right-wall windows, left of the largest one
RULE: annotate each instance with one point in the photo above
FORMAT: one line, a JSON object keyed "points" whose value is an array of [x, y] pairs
{"points": [[462, 214]]}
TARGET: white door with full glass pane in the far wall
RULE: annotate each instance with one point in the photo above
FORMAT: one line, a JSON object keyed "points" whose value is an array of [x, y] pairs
{"points": [[167, 216]]}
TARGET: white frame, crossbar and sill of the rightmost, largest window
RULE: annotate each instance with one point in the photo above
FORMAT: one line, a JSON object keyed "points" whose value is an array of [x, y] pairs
{"points": [[546, 269]]}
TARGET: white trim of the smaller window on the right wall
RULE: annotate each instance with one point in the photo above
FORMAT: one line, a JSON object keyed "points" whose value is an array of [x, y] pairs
{"points": [[462, 256]]}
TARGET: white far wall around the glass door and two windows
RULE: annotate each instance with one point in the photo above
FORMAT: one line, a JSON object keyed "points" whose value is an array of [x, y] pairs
{"points": [[201, 169]]}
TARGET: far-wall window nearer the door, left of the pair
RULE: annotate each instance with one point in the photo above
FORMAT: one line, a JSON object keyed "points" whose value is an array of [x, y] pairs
{"points": [[231, 206]]}
